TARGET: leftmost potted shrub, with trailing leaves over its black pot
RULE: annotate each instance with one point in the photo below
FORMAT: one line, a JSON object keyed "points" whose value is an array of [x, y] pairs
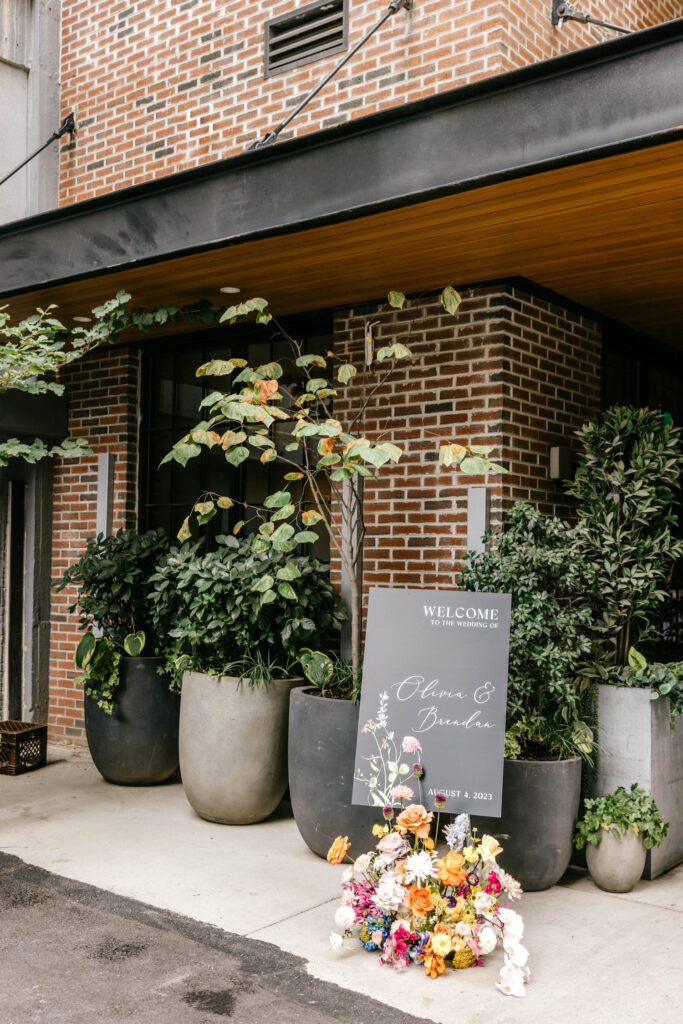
{"points": [[132, 707]]}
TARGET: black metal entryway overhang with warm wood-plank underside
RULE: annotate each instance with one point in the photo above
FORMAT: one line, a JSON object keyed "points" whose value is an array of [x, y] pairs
{"points": [[568, 173]]}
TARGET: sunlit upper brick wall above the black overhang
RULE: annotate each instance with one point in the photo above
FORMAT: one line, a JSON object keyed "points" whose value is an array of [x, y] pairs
{"points": [[164, 86]]}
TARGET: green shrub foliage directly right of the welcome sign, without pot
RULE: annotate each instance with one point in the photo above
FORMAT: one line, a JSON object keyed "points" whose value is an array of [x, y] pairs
{"points": [[534, 562]]}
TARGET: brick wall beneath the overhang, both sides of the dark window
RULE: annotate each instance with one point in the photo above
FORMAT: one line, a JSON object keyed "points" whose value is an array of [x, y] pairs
{"points": [[510, 370]]}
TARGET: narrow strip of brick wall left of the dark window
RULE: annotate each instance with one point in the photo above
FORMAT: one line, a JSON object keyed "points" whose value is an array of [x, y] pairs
{"points": [[103, 407]]}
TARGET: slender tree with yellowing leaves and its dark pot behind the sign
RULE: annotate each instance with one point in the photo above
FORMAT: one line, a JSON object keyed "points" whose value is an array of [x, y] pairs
{"points": [[325, 462]]}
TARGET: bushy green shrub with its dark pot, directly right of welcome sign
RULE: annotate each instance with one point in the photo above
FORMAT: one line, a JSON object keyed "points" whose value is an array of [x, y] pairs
{"points": [[546, 732]]}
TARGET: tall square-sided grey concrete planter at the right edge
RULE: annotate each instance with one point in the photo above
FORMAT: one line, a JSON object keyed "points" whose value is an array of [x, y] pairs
{"points": [[638, 745]]}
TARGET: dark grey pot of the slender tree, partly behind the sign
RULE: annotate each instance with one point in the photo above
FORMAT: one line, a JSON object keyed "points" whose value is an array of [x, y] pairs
{"points": [[322, 753]]}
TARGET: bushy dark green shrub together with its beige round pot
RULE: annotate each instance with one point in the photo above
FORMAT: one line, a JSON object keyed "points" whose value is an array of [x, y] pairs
{"points": [[238, 658]]}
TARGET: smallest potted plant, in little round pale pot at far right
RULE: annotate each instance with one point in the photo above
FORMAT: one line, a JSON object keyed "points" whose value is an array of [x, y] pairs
{"points": [[619, 829]]}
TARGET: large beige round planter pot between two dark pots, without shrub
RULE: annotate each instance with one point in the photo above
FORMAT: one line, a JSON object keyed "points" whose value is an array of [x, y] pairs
{"points": [[234, 747]]}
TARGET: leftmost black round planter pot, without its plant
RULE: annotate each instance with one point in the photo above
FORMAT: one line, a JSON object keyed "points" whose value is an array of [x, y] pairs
{"points": [[138, 745]]}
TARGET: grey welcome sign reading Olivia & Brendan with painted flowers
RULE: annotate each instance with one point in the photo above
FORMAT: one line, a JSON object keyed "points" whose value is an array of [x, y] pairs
{"points": [[435, 689]]}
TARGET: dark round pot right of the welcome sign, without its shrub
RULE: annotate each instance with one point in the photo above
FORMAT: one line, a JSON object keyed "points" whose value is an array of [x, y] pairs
{"points": [[540, 809]]}
